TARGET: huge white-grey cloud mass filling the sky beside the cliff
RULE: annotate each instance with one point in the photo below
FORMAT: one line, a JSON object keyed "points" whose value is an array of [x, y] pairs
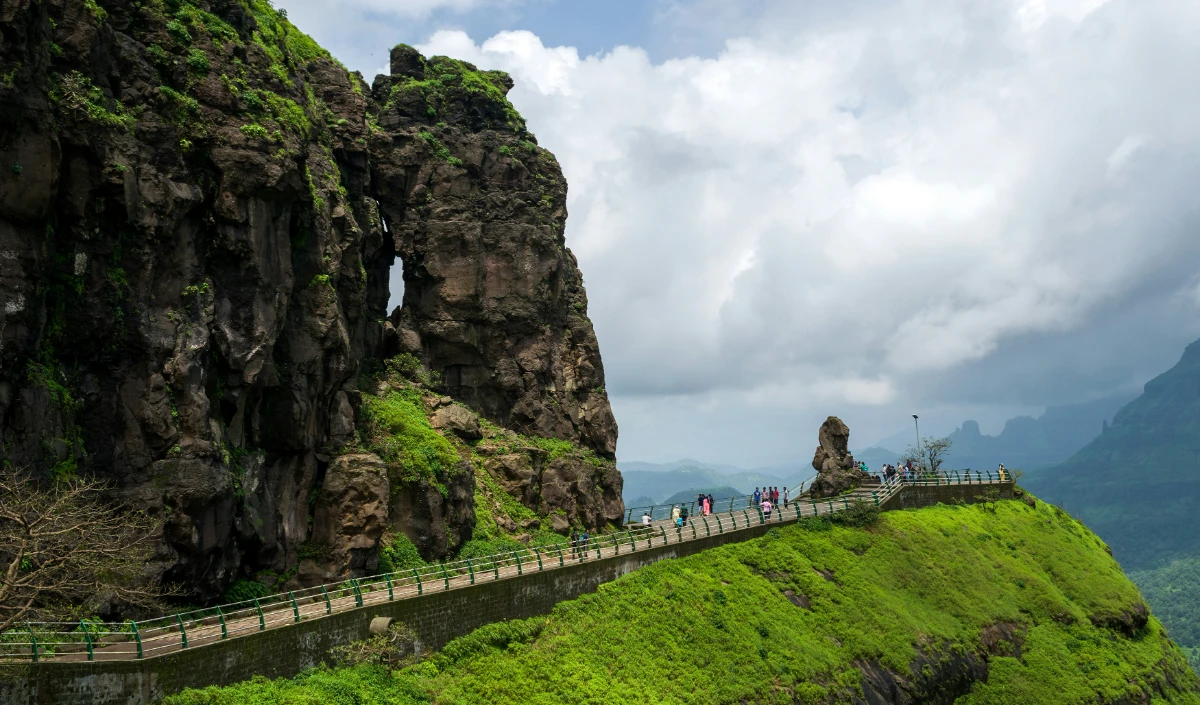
{"points": [[823, 212]]}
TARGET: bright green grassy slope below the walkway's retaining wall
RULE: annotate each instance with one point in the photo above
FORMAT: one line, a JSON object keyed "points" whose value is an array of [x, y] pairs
{"points": [[717, 628]]}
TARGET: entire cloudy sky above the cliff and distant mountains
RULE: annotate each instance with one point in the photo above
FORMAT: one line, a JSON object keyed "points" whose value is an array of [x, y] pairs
{"points": [[793, 209]]}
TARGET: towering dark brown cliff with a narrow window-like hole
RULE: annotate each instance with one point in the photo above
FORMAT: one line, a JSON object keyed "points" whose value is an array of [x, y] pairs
{"points": [[199, 213]]}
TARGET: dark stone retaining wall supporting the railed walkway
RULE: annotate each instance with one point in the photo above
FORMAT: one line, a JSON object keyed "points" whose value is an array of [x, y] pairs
{"points": [[436, 618]]}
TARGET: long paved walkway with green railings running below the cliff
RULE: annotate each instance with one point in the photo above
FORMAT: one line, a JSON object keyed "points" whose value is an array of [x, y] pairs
{"points": [[94, 641]]}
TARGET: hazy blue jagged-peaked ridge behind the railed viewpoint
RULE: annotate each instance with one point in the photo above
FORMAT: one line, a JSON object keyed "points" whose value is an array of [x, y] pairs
{"points": [[1027, 443]]}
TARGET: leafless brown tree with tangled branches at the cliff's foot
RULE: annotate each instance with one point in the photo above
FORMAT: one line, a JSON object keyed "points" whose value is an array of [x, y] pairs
{"points": [[64, 551]]}
